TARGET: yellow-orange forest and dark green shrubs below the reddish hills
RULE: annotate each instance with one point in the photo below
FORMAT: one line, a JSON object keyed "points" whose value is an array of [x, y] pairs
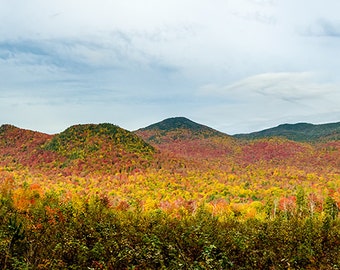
{"points": [[44, 227]]}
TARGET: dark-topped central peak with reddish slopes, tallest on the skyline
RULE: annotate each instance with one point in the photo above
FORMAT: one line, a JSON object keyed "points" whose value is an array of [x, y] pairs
{"points": [[183, 137]]}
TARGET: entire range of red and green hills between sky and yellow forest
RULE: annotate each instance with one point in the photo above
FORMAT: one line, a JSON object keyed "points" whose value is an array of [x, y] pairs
{"points": [[107, 148]]}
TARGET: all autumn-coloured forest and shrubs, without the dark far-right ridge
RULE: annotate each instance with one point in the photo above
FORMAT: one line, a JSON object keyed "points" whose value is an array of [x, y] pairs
{"points": [[180, 197]]}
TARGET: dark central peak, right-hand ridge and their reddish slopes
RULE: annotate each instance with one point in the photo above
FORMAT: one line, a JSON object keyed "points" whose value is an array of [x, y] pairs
{"points": [[286, 145]]}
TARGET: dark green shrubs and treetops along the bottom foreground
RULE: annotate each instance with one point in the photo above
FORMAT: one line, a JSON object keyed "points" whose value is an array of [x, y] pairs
{"points": [[53, 233]]}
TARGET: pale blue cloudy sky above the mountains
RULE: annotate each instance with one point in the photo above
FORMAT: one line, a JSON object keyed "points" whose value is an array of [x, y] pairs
{"points": [[235, 65]]}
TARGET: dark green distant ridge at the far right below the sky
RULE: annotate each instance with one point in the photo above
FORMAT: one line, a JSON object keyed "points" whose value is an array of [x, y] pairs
{"points": [[303, 132]]}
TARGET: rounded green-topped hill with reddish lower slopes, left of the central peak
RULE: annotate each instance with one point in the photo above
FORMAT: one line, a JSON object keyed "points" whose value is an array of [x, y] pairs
{"points": [[100, 147]]}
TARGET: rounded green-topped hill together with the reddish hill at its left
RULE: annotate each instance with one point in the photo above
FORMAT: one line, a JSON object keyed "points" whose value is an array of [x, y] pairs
{"points": [[80, 149]]}
